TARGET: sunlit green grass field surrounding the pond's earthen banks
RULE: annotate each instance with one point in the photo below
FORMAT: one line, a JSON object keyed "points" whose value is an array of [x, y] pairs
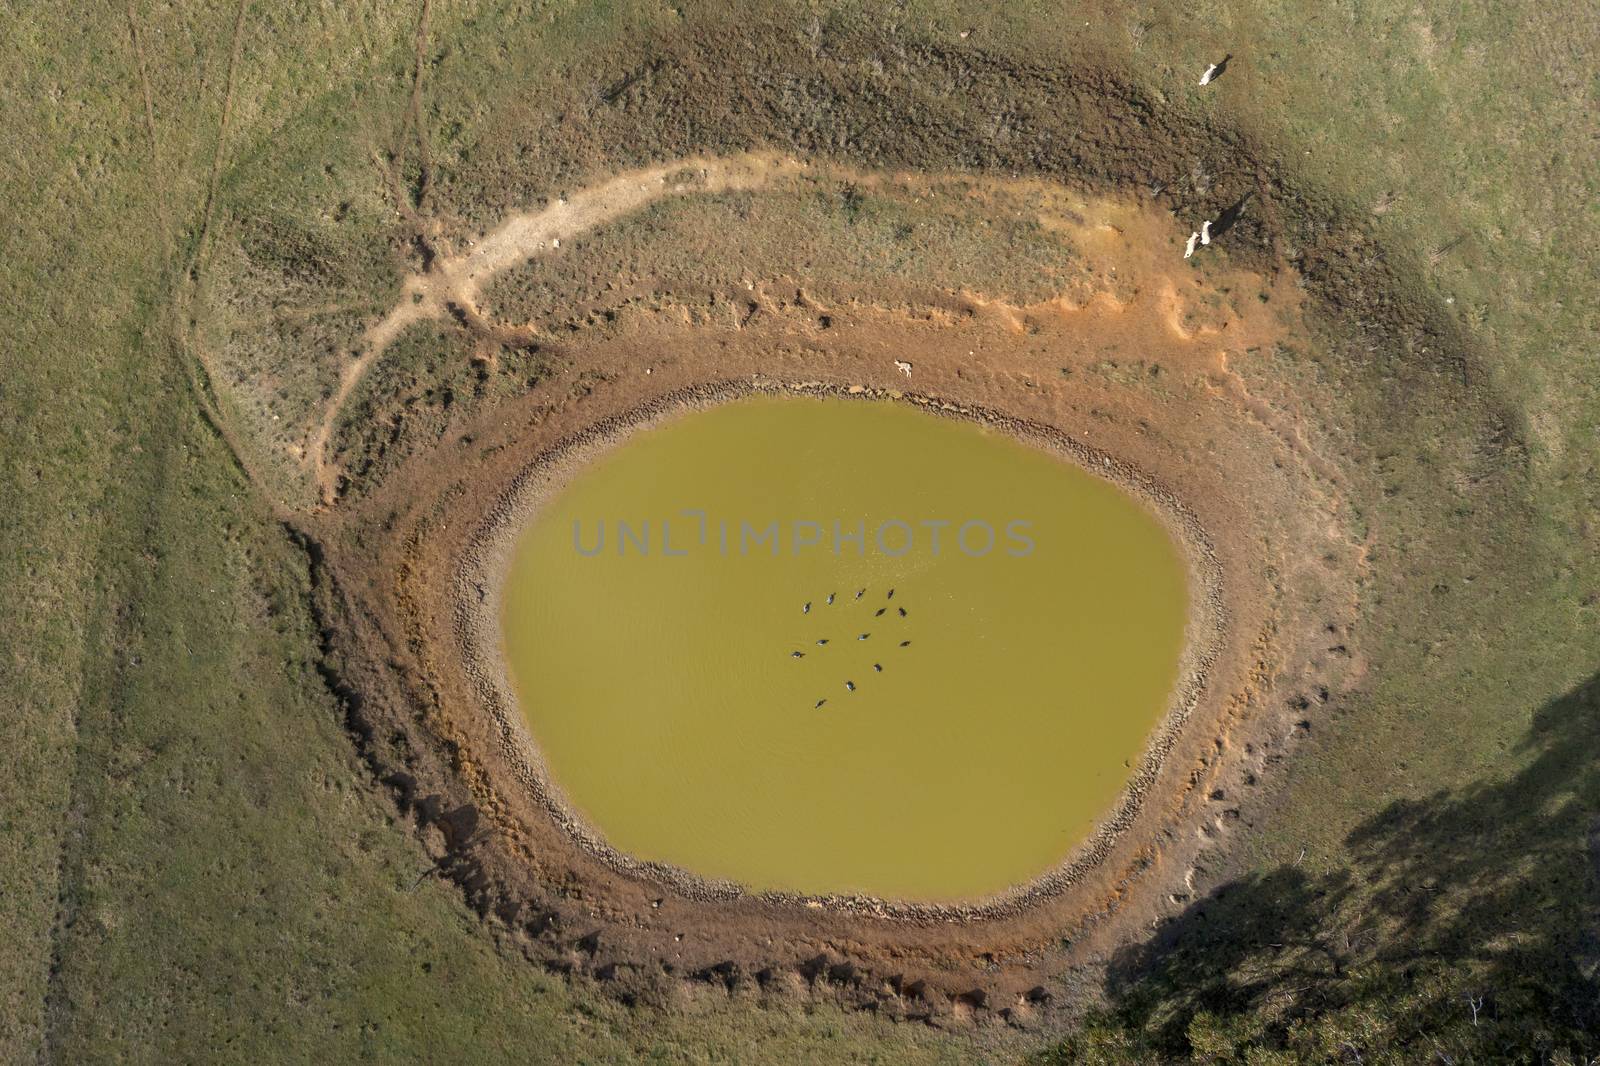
{"points": [[194, 865]]}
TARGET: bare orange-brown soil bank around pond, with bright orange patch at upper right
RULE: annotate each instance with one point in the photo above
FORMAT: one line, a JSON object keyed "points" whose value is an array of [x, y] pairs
{"points": [[1135, 367]]}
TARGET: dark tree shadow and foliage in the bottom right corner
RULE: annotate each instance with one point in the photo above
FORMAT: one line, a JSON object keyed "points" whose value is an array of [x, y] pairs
{"points": [[1465, 929]]}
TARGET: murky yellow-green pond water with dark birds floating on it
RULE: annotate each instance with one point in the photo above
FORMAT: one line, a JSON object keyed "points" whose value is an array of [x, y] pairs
{"points": [[655, 609]]}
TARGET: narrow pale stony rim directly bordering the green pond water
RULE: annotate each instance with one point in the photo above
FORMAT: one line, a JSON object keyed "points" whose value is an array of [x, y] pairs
{"points": [[481, 577]]}
